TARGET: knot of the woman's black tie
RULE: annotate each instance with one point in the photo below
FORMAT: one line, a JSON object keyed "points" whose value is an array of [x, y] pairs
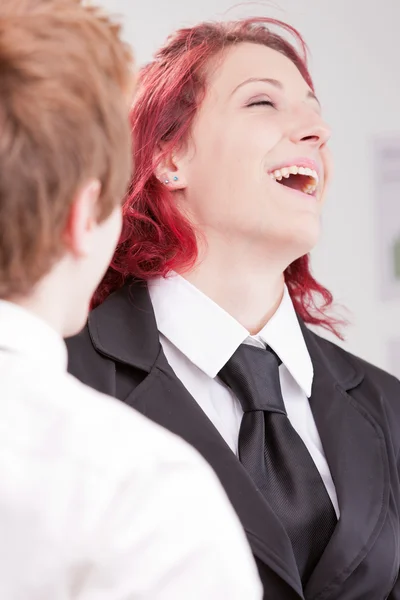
{"points": [[253, 375]]}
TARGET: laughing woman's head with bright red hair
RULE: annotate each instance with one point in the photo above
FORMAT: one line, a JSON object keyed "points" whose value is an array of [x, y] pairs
{"points": [[229, 144]]}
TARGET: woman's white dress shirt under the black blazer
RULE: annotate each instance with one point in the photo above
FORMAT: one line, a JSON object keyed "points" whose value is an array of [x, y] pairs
{"points": [[199, 337]]}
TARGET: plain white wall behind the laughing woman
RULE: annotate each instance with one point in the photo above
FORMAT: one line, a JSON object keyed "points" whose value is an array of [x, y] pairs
{"points": [[355, 53]]}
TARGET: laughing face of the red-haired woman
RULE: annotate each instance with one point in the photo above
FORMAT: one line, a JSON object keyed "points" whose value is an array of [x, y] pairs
{"points": [[256, 165]]}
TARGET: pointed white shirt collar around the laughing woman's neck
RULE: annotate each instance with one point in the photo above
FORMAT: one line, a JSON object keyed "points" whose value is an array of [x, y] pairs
{"points": [[208, 336]]}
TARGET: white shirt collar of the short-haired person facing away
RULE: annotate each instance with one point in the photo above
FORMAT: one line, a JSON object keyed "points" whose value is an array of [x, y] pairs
{"points": [[25, 334]]}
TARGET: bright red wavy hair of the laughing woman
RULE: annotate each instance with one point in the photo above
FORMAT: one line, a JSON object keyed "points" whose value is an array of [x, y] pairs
{"points": [[156, 237]]}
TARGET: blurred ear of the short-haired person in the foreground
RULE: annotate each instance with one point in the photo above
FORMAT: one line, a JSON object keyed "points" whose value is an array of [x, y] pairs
{"points": [[83, 219]]}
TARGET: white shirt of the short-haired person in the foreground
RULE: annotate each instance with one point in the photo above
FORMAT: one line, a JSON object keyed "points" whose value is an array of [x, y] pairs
{"points": [[97, 502]]}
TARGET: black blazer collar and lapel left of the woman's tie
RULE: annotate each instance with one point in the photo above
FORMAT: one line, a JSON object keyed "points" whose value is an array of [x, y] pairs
{"points": [[124, 329]]}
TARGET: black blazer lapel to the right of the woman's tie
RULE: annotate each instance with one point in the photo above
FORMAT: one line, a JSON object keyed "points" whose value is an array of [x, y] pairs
{"points": [[356, 454]]}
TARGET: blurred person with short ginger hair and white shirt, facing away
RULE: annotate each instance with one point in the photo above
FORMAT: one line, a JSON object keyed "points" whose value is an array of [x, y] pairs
{"points": [[96, 502]]}
